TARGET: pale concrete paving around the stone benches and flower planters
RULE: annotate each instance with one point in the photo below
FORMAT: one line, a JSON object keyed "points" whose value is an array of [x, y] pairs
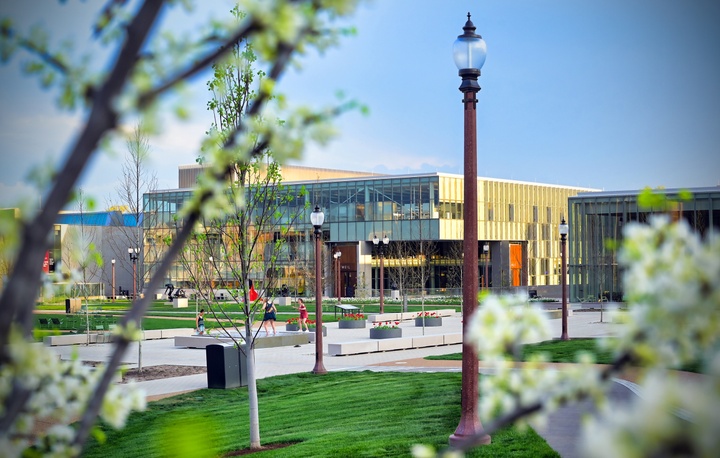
{"points": [[561, 431]]}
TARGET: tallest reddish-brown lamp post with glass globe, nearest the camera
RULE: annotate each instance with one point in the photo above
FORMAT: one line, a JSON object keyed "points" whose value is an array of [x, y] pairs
{"points": [[469, 52]]}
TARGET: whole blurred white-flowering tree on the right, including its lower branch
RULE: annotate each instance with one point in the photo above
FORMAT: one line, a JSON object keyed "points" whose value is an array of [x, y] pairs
{"points": [[671, 280]]}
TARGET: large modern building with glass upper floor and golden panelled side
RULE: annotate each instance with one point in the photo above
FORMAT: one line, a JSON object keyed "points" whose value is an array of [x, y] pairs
{"points": [[420, 214]]}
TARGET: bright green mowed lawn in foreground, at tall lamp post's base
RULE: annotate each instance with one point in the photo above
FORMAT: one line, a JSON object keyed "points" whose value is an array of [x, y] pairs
{"points": [[340, 414]]}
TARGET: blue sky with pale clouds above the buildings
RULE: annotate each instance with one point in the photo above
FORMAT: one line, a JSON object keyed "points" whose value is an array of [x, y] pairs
{"points": [[611, 94]]}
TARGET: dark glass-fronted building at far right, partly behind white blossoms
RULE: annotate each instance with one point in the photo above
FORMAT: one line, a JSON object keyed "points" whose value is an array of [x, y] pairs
{"points": [[595, 218]]}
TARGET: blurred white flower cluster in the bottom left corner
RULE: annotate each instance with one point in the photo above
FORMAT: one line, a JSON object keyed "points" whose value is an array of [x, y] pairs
{"points": [[59, 391]]}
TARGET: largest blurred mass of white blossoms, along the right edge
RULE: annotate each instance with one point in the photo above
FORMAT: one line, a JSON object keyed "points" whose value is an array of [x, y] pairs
{"points": [[671, 279]]}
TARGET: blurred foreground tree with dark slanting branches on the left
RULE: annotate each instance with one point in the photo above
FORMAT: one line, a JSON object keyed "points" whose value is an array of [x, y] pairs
{"points": [[133, 84]]}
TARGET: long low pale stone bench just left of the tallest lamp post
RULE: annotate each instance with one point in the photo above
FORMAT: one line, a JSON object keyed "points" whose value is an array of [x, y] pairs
{"points": [[399, 343]]}
